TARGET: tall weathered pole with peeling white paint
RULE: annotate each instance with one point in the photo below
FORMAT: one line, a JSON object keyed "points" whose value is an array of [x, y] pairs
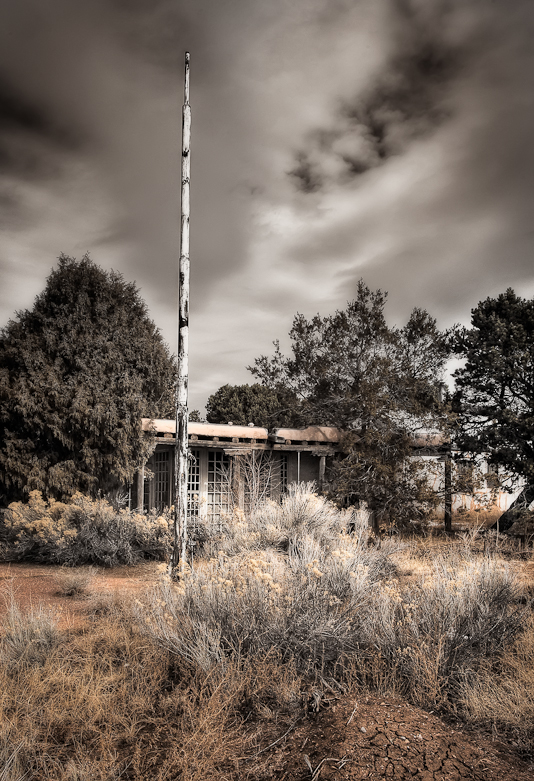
{"points": [[179, 553]]}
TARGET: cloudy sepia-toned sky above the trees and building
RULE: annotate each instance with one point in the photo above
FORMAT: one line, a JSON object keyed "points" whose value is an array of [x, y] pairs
{"points": [[332, 141]]}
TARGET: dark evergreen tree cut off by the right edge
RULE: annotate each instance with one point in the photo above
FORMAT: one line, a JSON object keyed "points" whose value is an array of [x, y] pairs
{"points": [[494, 396]]}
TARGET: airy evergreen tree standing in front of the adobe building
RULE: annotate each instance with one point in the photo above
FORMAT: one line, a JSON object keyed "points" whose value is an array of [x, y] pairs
{"points": [[380, 385]]}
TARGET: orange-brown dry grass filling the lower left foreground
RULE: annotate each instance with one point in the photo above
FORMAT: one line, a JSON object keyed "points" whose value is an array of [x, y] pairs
{"points": [[108, 703]]}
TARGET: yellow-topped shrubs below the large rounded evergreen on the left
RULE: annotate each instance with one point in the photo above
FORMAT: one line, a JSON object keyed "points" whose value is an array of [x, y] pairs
{"points": [[84, 531]]}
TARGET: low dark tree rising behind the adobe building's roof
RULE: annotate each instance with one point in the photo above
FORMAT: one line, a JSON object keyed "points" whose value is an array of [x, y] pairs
{"points": [[244, 404]]}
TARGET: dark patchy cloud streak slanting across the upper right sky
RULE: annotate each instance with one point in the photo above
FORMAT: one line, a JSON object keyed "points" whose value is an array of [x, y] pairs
{"points": [[406, 101]]}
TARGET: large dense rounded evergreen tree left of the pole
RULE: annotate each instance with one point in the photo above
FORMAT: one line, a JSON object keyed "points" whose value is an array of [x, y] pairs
{"points": [[77, 373]]}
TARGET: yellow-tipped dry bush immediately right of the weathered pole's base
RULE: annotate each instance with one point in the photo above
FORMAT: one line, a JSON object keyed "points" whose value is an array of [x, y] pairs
{"points": [[308, 603]]}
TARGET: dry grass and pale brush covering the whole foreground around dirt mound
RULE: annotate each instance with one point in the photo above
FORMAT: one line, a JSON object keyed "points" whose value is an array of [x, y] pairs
{"points": [[197, 678]]}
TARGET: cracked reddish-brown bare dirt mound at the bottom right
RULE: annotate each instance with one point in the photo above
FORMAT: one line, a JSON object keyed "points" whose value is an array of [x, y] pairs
{"points": [[375, 738]]}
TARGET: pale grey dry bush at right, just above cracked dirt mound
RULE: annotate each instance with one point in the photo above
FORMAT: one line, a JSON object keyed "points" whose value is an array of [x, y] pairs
{"points": [[428, 634]]}
